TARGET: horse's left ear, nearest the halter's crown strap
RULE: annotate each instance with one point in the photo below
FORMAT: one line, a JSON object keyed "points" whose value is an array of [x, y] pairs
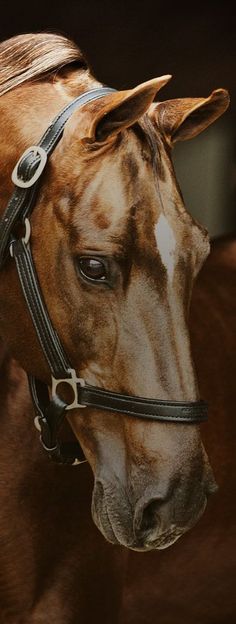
{"points": [[121, 109]]}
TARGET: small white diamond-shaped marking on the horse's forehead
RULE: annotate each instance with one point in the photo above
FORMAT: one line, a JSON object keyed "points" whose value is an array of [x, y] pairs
{"points": [[165, 244]]}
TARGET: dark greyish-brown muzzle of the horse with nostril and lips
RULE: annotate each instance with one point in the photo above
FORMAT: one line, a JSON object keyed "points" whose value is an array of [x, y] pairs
{"points": [[155, 521]]}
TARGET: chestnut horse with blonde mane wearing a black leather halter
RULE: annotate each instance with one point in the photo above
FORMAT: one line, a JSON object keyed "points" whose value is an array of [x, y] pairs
{"points": [[115, 256]]}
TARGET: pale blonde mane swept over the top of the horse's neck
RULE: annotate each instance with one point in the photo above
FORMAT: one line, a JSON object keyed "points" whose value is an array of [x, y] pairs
{"points": [[32, 56]]}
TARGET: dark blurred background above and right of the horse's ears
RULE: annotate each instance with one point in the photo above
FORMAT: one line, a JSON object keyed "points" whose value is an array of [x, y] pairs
{"points": [[129, 42]]}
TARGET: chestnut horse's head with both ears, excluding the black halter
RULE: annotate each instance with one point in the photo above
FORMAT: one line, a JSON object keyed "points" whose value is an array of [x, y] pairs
{"points": [[116, 254]]}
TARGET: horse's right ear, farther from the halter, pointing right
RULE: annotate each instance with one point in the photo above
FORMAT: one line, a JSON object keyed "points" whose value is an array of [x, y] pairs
{"points": [[185, 118]]}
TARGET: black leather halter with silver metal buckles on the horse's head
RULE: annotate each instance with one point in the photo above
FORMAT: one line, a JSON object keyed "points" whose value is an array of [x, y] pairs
{"points": [[50, 408]]}
